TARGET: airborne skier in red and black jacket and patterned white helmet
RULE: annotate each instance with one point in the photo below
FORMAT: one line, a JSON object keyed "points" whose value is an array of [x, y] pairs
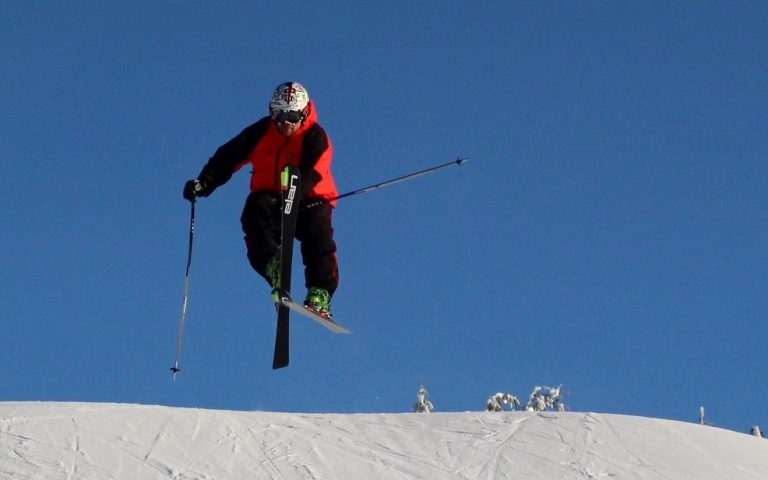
{"points": [[289, 134]]}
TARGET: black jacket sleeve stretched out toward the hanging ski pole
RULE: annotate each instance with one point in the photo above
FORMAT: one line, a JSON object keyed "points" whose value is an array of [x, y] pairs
{"points": [[229, 156]]}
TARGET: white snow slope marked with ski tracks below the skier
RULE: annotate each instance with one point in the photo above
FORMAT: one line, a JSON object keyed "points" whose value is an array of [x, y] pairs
{"points": [[121, 441]]}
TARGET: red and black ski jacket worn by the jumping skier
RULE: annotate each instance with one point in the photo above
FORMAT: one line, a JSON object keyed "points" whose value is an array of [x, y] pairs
{"points": [[268, 151]]}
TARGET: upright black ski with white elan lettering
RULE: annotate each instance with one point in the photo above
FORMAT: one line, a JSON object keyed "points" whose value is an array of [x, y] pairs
{"points": [[290, 183]]}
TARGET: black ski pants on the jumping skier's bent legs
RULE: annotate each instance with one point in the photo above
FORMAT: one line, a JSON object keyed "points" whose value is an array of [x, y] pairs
{"points": [[261, 225]]}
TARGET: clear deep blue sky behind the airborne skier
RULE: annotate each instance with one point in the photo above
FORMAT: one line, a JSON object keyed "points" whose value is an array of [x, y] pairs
{"points": [[609, 233]]}
